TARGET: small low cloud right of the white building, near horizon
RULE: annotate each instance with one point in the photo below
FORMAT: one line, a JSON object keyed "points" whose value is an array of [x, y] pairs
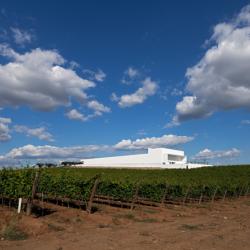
{"points": [[208, 154]]}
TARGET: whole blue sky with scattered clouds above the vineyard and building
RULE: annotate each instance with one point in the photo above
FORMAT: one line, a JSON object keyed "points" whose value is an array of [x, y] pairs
{"points": [[96, 78]]}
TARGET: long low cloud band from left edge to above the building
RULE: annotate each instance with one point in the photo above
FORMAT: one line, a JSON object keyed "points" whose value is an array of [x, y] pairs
{"points": [[48, 152]]}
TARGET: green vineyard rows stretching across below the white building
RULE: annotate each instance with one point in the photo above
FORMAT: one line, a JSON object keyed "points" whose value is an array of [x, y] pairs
{"points": [[124, 185]]}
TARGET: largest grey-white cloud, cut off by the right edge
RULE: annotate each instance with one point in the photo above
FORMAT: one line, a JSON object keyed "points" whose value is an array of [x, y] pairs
{"points": [[221, 79]]}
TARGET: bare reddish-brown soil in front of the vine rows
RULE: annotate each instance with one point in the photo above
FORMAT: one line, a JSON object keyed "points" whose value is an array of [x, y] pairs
{"points": [[221, 225]]}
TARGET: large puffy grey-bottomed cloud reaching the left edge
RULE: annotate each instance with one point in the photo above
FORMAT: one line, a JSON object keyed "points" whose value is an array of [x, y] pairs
{"points": [[38, 79]]}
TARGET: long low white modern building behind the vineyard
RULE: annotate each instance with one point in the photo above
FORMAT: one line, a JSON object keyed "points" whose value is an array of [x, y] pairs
{"points": [[155, 158]]}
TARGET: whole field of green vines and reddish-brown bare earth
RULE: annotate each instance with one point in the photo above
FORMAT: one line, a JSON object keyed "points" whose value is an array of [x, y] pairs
{"points": [[206, 208]]}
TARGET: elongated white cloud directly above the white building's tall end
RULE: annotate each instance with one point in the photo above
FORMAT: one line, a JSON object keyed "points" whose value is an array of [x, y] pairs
{"points": [[152, 142]]}
